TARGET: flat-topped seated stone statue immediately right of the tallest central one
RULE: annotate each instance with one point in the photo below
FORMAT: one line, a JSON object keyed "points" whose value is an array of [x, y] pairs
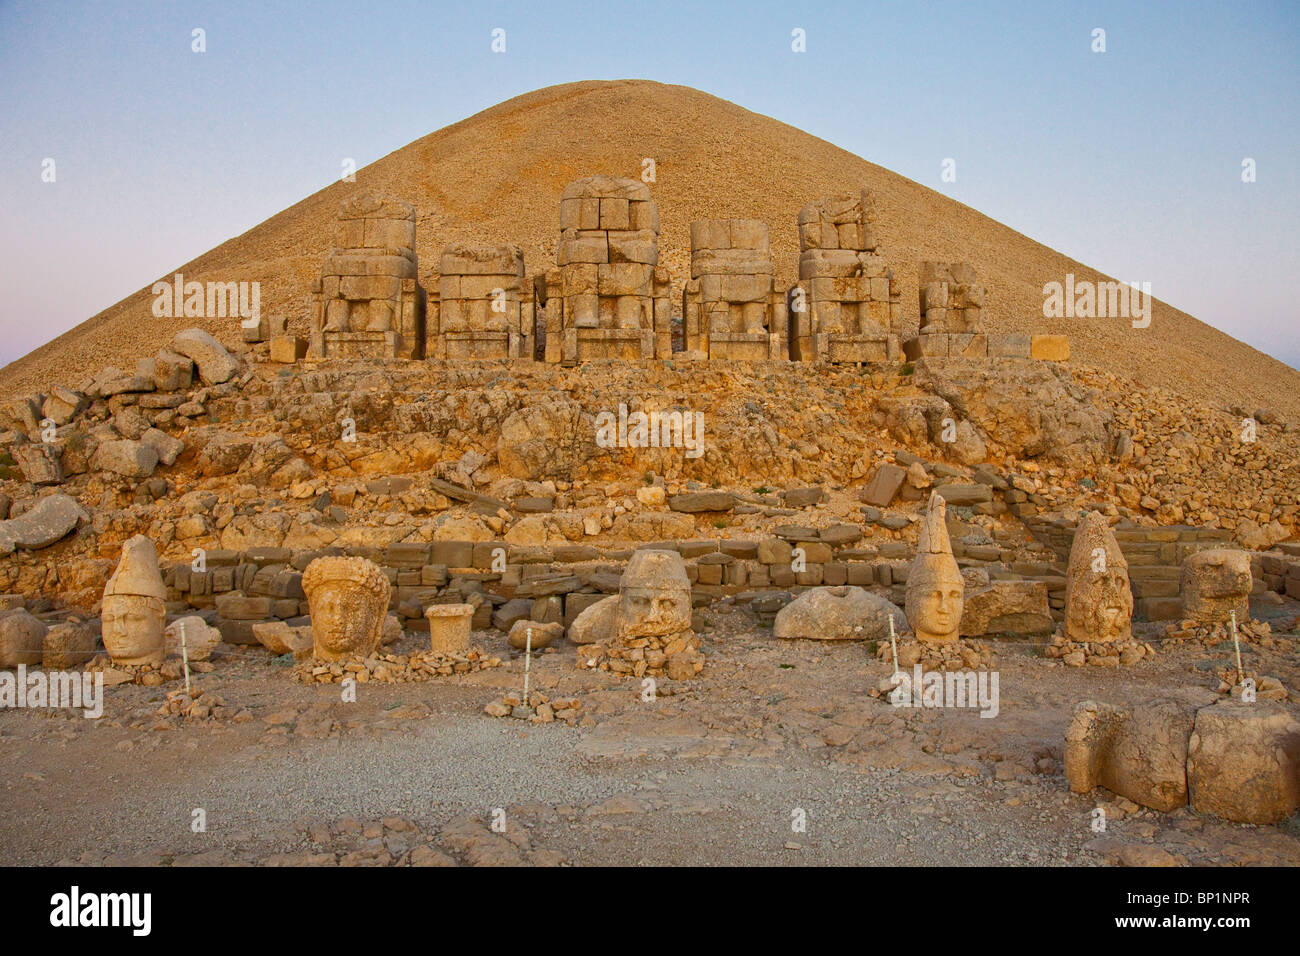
{"points": [[731, 308]]}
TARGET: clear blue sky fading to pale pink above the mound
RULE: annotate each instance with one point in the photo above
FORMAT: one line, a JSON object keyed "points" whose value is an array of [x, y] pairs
{"points": [[1128, 161]]}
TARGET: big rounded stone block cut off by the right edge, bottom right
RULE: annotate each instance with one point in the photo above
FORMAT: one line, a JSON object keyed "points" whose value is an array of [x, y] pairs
{"points": [[1243, 762]]}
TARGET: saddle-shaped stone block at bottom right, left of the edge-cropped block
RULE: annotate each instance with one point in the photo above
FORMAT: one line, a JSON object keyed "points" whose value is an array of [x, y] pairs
{"points": [[1139, 754]]}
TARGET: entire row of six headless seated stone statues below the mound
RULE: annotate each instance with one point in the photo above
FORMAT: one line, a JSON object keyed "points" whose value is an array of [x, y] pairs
{"points": [[609, 299]]}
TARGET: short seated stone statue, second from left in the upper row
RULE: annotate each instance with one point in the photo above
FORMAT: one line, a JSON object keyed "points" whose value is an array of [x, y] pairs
{"points": [[484, 308]]}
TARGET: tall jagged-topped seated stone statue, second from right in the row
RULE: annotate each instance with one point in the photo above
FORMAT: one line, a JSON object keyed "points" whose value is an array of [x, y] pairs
{"points": [[847, 305]]}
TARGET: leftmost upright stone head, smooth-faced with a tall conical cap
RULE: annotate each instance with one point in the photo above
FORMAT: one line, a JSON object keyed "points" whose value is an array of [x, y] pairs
{"points": [[135, 607]]}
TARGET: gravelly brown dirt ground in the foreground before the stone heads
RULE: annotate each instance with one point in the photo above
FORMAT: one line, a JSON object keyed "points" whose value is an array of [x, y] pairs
{"points": [[718, 771]]}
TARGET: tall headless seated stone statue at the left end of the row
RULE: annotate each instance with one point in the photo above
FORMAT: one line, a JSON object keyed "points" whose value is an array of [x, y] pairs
{"points": [[369, 301]]}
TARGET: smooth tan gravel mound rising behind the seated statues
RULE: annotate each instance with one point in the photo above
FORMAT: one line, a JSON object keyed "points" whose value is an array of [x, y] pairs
{"points": [[499, 175]]}
